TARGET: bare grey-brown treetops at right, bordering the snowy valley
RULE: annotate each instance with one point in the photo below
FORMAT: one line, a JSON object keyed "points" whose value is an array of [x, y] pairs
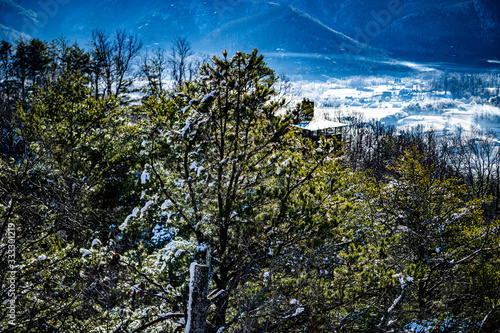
{"points": [[471, 156]]}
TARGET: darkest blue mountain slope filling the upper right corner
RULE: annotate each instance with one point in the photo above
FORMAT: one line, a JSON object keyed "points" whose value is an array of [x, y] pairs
{"points": [[428, 30]]}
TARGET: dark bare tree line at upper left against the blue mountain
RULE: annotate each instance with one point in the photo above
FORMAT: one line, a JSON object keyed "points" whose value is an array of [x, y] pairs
{"points": [[110, 62]]}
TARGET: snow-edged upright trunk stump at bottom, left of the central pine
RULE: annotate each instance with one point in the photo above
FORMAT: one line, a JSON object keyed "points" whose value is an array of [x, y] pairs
{"points": [[198, 301]]}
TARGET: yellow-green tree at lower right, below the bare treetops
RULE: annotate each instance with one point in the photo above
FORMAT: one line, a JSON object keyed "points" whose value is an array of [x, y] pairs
{"points": [[434, 238]]}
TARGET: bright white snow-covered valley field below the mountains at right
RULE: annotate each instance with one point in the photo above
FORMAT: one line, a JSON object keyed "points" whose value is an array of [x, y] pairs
{"points": [[402, 102]]}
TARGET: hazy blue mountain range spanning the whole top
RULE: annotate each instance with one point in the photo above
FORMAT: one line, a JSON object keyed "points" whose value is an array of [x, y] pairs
{"points": [[315, 34]]}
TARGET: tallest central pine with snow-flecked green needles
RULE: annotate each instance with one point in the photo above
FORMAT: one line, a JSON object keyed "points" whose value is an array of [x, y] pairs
{"points": [[232, 180]]}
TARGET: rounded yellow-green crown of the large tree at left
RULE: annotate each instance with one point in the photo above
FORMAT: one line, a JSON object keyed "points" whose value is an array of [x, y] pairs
{"points": [[86, 141]]}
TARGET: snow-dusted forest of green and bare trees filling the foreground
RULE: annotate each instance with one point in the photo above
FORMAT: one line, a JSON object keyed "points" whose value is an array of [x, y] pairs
{"points": [[112, 184]]}
